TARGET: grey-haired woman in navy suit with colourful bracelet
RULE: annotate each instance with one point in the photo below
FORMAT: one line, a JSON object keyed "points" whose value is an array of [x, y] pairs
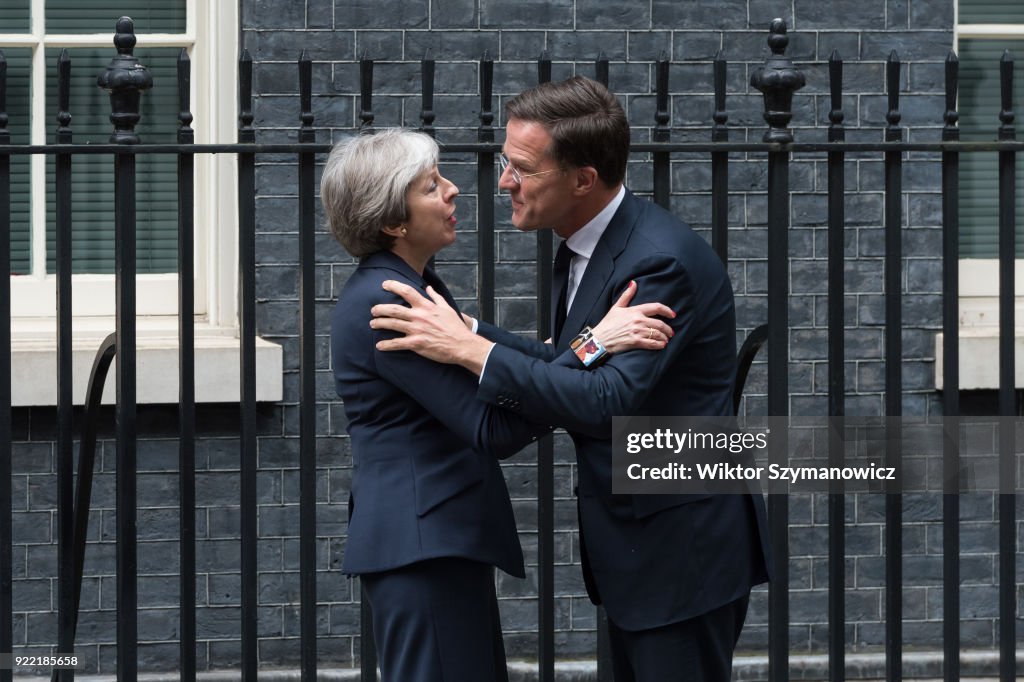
{"points": [[430, 511]]}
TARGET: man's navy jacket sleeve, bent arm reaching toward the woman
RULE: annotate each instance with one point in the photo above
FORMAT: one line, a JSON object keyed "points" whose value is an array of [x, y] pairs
{"points": [[564, 394]]}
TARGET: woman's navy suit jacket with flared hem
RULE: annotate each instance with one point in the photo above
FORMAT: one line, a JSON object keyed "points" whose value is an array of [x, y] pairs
{"points": [[426, 481]]}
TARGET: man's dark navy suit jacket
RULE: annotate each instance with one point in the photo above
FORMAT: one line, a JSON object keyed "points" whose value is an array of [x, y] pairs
{"points": [[651, 560]]}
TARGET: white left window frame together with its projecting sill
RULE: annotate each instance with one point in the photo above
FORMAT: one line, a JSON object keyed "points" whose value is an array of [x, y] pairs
{"points": [[211, 39]]}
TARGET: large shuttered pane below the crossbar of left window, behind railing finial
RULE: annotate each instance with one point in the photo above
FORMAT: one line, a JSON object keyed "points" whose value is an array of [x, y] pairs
{"points": [[93, 176]]}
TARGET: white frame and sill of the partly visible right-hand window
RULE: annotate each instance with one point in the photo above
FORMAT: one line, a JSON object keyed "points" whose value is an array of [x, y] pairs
{"points": [[979, 283]]}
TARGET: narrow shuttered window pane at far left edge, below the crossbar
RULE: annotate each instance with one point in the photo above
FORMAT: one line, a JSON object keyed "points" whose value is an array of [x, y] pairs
{"points": [[19, 64]]}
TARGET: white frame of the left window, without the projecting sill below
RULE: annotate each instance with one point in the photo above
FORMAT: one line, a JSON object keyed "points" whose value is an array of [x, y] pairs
{"points": [[211, 41]]}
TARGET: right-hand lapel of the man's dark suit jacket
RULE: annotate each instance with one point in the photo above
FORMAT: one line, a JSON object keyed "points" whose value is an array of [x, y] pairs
{"points": [[600, 270]]}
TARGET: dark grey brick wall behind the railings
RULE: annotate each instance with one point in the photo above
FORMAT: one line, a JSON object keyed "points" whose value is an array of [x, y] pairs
{"points": [[397, 34]]}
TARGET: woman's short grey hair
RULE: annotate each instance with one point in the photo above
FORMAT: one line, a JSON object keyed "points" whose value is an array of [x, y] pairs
{"points": [[365, 184]]}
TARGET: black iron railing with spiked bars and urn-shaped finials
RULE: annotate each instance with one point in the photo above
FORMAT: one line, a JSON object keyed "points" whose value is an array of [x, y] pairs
{"points": [[779, 81]]}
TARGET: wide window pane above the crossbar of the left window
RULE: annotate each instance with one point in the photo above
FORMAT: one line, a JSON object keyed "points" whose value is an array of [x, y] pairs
{"points": [[97, 17]]}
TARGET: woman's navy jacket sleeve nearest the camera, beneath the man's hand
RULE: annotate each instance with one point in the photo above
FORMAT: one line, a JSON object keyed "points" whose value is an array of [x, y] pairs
{"points": [[449, 394]]}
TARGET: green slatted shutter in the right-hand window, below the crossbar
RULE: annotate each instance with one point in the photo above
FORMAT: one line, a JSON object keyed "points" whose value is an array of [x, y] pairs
{"points": [[979, 109]]}
